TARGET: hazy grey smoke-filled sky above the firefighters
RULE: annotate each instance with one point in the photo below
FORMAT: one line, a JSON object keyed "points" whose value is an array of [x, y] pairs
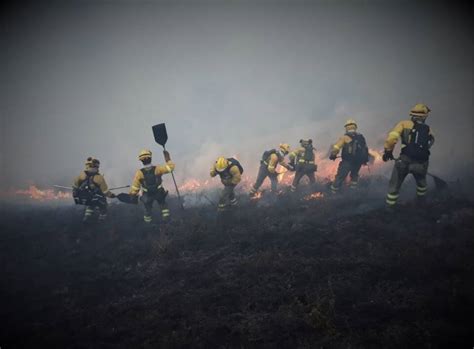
{"points": [[90, 79]]}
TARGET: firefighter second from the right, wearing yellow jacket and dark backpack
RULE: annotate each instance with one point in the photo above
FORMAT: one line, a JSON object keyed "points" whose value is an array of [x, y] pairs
{"points": [[354, 154]]}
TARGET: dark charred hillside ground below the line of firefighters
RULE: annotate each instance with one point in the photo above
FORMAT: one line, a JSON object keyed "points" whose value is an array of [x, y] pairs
{"points": [[338, 272]]}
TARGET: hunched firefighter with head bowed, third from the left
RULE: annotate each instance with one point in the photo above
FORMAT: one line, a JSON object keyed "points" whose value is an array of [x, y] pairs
{"points": [[230, 171]]}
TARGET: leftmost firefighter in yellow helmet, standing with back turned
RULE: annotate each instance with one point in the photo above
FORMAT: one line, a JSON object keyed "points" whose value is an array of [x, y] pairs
{"points": [[90, 189]]}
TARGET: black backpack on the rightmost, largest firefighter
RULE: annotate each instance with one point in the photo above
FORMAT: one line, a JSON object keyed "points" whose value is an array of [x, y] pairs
{"points": [[418, 142]]}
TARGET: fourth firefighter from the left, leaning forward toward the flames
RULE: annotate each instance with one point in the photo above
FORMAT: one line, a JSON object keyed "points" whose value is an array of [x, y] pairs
{"points": [[270, 160]]}
